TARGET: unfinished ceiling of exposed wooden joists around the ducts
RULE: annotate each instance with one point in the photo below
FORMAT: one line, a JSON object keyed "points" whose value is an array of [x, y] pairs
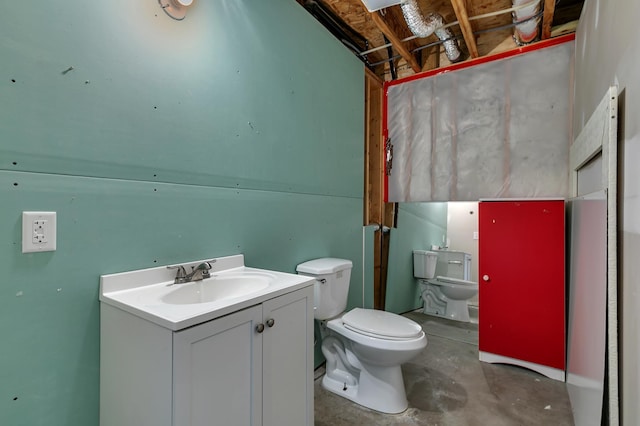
{"points": [[483, 26]]}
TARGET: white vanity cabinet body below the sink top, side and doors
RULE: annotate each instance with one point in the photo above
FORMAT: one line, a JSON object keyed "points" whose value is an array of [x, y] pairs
{"points": [[249, 367]]}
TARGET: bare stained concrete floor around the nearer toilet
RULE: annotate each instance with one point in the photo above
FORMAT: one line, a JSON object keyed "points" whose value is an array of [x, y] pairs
{"points": [[448, 386]]}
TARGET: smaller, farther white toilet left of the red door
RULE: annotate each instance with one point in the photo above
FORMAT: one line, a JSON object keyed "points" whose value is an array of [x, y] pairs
{"points": [[447, 294]]}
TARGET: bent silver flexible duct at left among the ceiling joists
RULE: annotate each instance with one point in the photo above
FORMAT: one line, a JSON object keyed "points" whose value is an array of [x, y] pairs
{"points": [[422, 26]]}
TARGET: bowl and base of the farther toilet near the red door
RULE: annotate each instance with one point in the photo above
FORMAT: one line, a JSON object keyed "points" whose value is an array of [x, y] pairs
{"points": [[447, 297]]}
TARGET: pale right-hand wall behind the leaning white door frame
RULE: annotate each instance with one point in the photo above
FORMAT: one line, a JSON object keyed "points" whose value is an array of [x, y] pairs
{"points": [[608, 52]]}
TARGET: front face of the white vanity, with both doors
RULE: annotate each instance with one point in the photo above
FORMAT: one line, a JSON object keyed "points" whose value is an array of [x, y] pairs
{"points": [[253, 367]]}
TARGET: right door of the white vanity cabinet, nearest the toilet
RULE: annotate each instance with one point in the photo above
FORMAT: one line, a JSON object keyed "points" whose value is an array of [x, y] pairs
{"points": [[288, 359]]}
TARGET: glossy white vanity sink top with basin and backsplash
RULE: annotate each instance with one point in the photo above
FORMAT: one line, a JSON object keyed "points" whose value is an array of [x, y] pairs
{"points": [[152, 295]]}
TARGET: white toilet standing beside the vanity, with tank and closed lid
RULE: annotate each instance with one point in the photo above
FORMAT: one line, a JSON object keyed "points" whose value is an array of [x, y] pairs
{"points": [[364, 348]]}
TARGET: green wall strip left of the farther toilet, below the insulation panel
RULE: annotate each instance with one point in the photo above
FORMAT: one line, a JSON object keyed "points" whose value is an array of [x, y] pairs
{"points": [[420, 225]]}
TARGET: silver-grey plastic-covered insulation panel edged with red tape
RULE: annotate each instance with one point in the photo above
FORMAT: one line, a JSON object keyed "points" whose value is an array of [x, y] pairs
{"points": [[495, 130]]}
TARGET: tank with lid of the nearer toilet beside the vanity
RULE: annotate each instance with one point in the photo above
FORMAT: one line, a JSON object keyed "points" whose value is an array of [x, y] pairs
{"points": [[331, 288]]}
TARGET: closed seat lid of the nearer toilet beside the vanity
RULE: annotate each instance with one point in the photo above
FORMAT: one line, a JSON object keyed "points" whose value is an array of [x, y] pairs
{"points": [[381, 324]]}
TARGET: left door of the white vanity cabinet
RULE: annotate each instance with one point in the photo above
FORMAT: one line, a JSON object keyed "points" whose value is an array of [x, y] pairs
{"points": [[217, 372]]}
